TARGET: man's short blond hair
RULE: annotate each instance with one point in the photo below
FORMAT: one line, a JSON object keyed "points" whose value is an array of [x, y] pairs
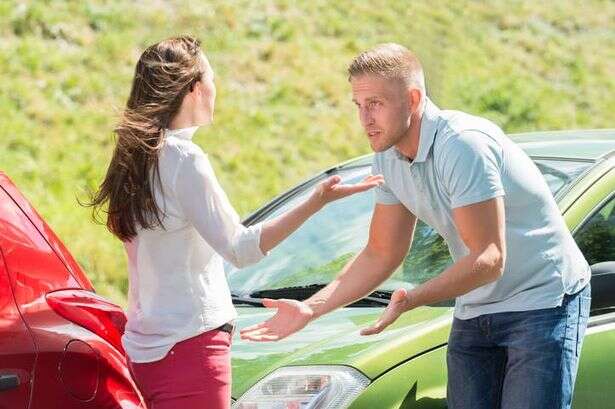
{"points": [[391, 61]]}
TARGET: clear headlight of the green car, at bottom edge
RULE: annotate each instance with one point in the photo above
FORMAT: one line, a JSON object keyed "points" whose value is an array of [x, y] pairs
{"points": [[303, 387]]}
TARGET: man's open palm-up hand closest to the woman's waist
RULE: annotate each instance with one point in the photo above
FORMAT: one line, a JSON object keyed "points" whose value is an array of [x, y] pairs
{"points": [[291, 316]]}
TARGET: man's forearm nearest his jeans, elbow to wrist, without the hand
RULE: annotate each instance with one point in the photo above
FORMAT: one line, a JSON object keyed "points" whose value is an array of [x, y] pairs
{"points": [[467, 274]]}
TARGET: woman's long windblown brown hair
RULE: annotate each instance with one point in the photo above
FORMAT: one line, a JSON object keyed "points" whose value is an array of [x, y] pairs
{"points": [[165, 73]]}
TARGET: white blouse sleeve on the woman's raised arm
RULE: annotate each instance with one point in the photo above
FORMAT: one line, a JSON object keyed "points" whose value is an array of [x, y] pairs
{"points": [[205, 204]]}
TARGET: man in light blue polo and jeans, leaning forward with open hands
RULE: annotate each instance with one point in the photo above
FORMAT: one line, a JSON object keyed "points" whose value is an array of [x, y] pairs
{"points": [[520, 282]]}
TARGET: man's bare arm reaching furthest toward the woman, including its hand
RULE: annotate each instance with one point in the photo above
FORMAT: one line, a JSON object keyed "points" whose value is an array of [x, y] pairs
{"points": [[390, 235]]}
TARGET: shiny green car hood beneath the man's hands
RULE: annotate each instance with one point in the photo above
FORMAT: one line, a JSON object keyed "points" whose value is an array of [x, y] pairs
{"points": [[335, 339]]}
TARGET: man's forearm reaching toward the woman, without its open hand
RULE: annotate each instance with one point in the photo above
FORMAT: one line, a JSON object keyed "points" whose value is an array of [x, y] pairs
{"points": [[358, 278]]}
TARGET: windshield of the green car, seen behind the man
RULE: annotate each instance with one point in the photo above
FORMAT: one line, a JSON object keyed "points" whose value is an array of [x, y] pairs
{"points": [[316, 252]]}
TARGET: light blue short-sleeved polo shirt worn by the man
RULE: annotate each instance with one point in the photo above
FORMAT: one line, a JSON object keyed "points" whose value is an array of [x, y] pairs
{"points": [[463, 159]]}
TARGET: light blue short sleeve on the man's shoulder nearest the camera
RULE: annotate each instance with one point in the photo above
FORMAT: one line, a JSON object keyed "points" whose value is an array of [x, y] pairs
{"points": [[470, 168]]}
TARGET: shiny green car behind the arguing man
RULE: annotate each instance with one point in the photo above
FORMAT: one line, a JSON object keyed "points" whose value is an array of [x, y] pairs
{"points": [[329, 365]]}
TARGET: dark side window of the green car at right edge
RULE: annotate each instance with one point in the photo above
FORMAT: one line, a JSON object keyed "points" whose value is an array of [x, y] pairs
{"points": [[596, 238]]}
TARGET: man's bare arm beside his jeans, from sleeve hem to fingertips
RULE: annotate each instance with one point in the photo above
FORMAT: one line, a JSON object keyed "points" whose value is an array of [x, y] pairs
{"points": [[481, 227]]}
